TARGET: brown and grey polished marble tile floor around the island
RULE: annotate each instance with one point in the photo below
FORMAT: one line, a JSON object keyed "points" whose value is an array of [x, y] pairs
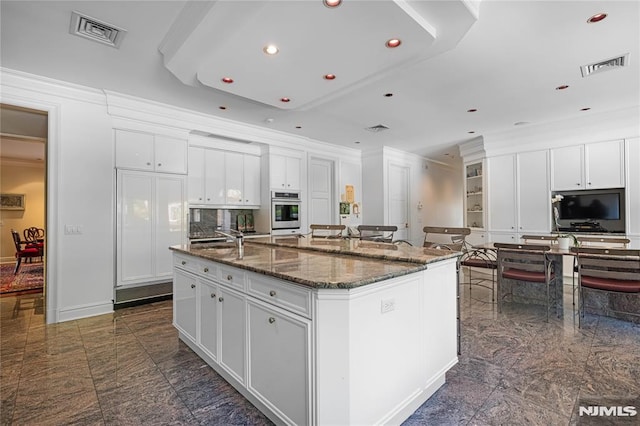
{"points": [[130, 368]]}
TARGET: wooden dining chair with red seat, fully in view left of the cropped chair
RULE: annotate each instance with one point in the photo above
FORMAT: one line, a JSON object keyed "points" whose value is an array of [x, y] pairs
{"points": [[524, 262]]}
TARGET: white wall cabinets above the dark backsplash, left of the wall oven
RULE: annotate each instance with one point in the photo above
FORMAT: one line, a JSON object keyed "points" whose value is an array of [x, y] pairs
{"points": [[223, 178]]}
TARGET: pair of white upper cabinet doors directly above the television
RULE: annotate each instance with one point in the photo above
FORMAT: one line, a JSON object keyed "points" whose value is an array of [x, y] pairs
{"points": [[591, 166]]}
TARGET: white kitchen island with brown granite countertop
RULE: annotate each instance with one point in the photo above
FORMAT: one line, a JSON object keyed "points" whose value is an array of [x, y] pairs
{"points": [[333, 332]]}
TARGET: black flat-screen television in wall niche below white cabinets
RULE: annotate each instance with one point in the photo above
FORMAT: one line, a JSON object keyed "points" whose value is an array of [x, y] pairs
{"points": [[599, 210]]}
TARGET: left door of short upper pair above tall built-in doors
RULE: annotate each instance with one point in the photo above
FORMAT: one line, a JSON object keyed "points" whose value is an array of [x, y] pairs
{"points": [[134, 150]]}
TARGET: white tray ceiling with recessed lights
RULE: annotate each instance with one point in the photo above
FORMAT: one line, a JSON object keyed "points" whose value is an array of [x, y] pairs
{"points": [[503, 59]]}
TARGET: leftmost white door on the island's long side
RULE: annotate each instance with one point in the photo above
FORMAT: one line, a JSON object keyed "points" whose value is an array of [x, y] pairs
{"points": [[184, 303]]}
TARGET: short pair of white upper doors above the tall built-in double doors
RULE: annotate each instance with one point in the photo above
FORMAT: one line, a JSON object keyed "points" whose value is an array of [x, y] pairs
{"points": [[149, 152]]}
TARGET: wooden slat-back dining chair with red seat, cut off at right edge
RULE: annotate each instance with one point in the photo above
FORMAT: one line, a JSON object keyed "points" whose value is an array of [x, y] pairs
{"points": [[609, 270]]}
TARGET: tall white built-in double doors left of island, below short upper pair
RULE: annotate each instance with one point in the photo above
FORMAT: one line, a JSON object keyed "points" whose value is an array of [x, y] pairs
{"points": [[150, 218]]}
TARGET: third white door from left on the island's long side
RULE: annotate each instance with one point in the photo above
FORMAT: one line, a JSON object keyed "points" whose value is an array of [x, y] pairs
{"points": [[232, 317]]}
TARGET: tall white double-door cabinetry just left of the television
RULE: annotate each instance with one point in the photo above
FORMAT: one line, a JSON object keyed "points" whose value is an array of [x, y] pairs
{"points": [[519, 198]]}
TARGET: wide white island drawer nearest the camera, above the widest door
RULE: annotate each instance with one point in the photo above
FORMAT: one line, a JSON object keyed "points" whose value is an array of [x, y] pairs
{"points": [[286, 296]]}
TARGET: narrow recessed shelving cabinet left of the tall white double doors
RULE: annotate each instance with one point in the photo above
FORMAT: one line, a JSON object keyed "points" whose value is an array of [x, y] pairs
{"points": [[474, 200]]}
